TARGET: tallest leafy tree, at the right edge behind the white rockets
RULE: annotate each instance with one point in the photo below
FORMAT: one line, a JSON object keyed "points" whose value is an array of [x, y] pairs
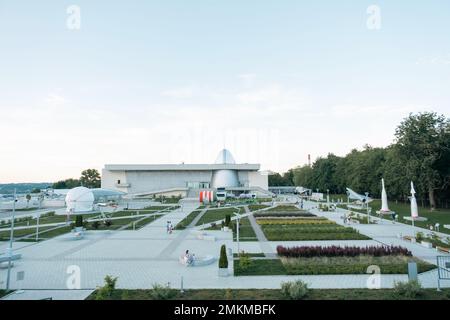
{"points": [[423, 141]]}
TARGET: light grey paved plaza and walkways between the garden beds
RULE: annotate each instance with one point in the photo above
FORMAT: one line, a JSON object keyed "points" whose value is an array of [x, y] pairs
{"points": [[150, 255]]}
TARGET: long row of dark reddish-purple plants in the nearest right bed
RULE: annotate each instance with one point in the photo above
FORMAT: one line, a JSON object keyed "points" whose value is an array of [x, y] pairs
{"points": [[336, 251]]}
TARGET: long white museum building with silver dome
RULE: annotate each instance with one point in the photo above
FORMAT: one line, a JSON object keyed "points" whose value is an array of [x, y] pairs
{"points": [[180, 178]]}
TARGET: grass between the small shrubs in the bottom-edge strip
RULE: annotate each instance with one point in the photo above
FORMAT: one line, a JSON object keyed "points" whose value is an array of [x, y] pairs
{"points": [[275, 294]]}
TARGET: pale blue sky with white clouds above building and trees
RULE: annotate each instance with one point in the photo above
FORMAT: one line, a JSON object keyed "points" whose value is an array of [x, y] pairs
{"points": [[89, 83]]}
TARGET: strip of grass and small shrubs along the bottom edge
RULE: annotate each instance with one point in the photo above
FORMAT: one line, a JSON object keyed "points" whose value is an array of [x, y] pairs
{"points": [[293, 290]]}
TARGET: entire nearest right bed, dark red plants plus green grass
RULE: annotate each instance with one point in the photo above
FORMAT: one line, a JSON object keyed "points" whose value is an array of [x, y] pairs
{"points": [[330, 260]]}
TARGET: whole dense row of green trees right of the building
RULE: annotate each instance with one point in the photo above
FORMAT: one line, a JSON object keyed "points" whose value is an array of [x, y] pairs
{"points": [[419, 153]]}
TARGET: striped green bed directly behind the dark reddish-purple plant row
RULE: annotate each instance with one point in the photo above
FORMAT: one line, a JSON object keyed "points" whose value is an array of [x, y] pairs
{"points": [[307, 229]]}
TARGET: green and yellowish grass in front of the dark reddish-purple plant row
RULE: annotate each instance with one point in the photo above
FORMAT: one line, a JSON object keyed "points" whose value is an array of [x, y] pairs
{"points": [[324, 265]]}
